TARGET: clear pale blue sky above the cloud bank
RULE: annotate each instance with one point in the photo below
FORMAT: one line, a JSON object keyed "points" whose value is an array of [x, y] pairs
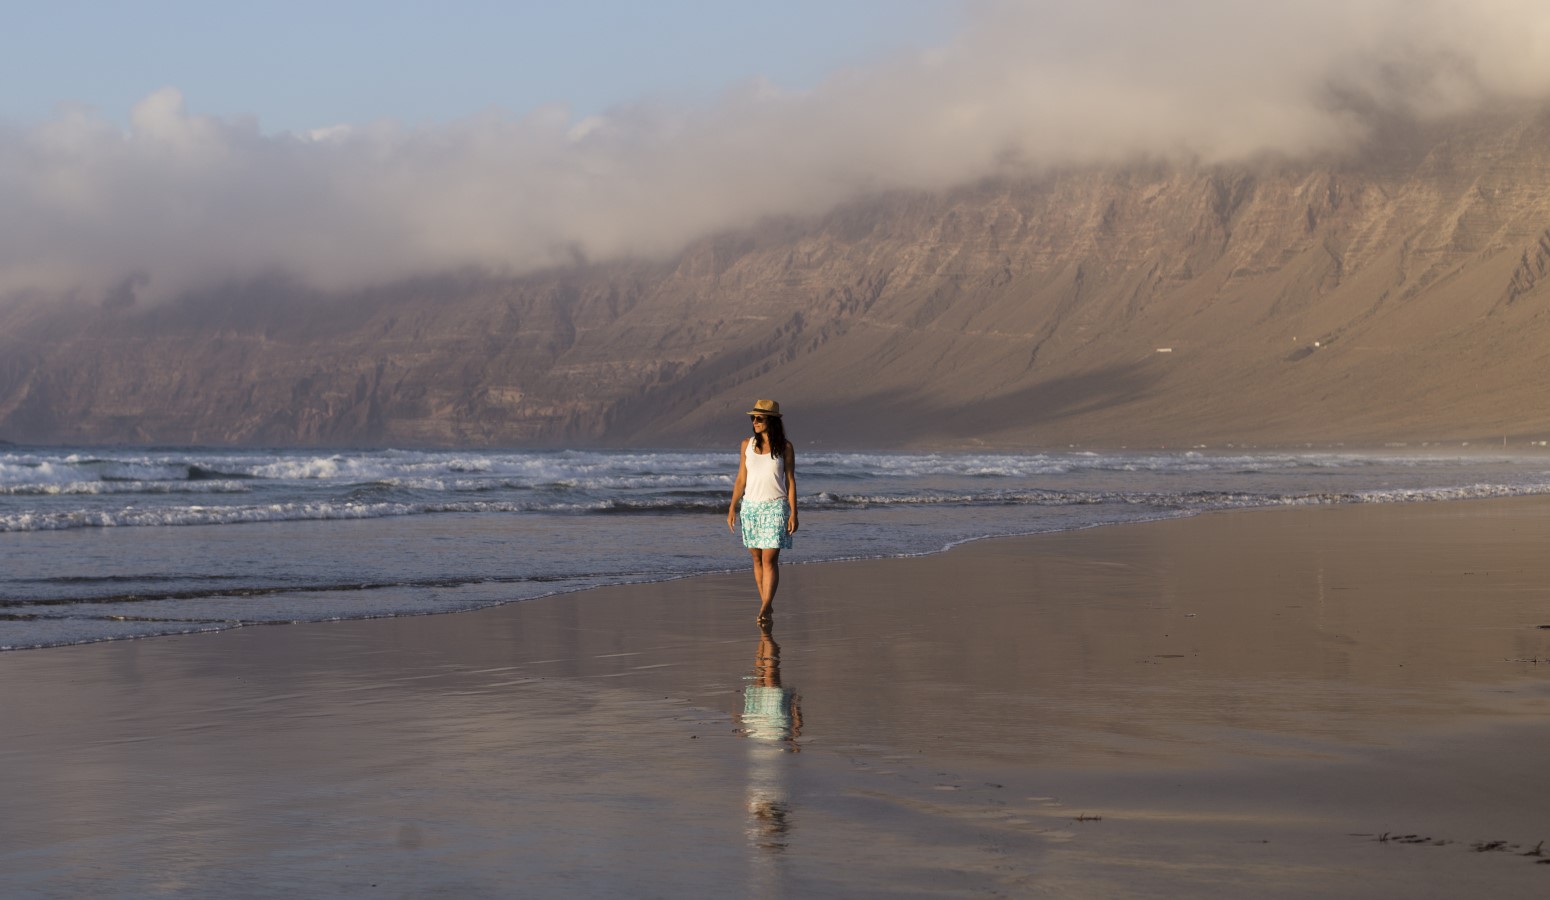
{"points": [[300, 66]]}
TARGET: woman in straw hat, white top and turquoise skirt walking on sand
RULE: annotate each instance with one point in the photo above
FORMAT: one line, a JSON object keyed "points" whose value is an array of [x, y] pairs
{"points": [[768, 490]]}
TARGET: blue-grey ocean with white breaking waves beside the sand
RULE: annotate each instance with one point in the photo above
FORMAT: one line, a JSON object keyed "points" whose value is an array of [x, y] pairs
{"points": [[108, 544]]}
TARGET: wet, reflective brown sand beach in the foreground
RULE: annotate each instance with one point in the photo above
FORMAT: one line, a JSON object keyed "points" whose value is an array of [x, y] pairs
{"points": [[1320, 702]]}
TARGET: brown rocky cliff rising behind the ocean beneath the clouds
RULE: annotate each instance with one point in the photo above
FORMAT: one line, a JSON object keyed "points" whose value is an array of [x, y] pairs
{"points": [[1397, 295]]}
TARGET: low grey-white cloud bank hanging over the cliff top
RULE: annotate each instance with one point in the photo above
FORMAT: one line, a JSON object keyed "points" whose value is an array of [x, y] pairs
{"points": [[181, 201]]}
